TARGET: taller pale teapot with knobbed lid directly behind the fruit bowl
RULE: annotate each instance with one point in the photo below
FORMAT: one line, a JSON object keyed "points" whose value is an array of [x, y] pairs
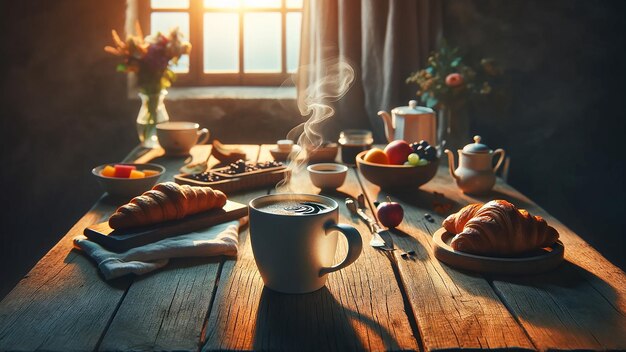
{"points": [[410, 123]]}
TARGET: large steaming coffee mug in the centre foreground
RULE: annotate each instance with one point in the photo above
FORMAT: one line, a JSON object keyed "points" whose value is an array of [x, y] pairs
{"points": [[294, 239]]}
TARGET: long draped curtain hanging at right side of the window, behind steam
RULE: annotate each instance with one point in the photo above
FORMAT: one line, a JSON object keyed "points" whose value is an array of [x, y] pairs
{"points": [[383, 41]]}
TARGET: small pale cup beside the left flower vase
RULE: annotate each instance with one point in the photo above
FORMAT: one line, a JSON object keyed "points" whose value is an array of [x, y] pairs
{"points": [[177, 137]]}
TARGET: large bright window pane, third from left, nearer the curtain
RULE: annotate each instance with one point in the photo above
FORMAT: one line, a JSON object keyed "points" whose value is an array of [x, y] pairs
{"points": [[262, 42]]}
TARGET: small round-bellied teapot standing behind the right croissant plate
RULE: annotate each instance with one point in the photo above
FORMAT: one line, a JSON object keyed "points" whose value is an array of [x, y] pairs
{"points": [[475, 174]]}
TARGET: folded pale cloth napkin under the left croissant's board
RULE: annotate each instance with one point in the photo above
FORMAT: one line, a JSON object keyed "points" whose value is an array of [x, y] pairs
{"points": [[221, 239]]}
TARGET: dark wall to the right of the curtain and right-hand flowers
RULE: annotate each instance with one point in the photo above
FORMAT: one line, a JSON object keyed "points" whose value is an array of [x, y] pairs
{"points": [[564, 124]]}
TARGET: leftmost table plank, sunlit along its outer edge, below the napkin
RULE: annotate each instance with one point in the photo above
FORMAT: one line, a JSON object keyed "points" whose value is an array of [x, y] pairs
{"points": [[62, 304]]}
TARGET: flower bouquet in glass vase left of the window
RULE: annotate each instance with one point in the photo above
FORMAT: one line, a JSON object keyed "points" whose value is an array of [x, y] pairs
{"points": [[150, 59]]}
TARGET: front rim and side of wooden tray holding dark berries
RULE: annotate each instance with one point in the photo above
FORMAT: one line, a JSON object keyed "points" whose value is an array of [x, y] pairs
{"points": [[241, 183]]}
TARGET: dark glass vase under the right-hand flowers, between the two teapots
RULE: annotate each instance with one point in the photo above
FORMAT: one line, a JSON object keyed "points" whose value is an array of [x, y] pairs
{"points": [[453, 128]]}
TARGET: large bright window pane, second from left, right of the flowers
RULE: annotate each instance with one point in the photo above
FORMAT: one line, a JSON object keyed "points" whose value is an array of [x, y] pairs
{"points": [[221, 42]]}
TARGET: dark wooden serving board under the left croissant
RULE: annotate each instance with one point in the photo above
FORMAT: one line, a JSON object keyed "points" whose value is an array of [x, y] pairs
{"points": [[121, 240]]}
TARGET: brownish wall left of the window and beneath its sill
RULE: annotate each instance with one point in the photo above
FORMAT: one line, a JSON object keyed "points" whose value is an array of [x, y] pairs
{"points": [[64, 110]]}
